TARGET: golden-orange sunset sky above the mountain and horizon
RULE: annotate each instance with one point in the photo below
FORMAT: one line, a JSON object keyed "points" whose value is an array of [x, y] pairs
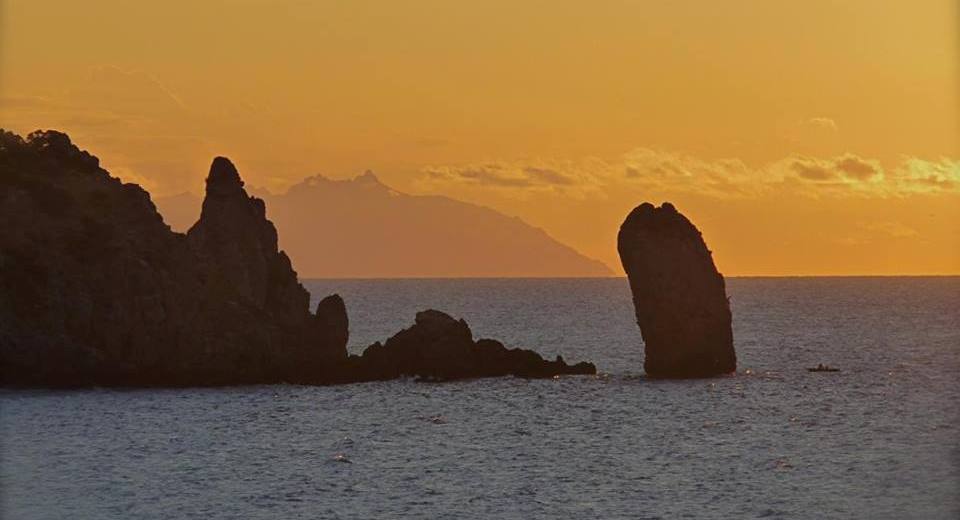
{"points": [[814, 137]]}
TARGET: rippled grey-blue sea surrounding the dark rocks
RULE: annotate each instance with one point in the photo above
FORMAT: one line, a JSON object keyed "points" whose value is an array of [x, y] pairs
{"points": [[881, 439]]}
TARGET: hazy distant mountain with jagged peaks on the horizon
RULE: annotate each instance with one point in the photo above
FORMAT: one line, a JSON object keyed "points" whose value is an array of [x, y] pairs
{"points": [[363, 228]]}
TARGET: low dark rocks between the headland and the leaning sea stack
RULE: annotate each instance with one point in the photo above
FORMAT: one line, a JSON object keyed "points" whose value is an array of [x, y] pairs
{"points": [[439, 348]]}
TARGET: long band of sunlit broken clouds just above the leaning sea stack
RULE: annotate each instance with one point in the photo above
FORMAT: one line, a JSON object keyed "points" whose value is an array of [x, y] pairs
{"points": [[653, 171]]}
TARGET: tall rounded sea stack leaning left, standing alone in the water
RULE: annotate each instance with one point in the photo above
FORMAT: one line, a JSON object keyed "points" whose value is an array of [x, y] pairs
{"points": [[679, 297]]}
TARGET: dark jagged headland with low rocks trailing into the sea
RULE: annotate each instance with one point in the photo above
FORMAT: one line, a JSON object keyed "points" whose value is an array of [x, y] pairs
{"points": [[95, 289]]}
